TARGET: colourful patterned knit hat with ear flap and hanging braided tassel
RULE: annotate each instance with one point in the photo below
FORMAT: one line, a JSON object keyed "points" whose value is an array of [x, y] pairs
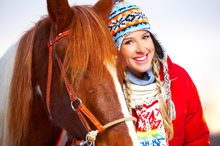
{"points": [[126, 18]]}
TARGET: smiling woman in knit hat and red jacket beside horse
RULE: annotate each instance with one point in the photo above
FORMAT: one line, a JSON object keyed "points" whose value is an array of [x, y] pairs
{"points": [[160, 94]]}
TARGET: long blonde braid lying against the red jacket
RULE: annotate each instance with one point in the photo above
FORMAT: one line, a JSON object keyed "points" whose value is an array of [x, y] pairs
{"points": [[164, 109]]}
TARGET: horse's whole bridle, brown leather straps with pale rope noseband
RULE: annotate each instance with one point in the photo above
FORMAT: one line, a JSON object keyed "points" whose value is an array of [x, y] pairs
{"points": [[76, 103]]}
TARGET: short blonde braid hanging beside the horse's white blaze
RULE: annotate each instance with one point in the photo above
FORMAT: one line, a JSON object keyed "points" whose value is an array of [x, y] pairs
{"points": [[128, 91]]}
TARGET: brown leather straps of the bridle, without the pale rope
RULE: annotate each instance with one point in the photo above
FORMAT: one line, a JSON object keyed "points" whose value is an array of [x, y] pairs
{"points": [[75, 102]]}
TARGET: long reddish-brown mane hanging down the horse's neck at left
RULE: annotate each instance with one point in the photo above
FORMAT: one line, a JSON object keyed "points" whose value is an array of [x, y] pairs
{"points": [[21, 91]]}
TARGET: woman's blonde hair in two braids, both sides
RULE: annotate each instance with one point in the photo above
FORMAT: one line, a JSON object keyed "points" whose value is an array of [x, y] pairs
{"points": [[163, 106]]}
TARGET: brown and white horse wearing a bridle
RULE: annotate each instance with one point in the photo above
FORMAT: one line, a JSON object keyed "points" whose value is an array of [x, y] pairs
{"points": [[64, 78]]}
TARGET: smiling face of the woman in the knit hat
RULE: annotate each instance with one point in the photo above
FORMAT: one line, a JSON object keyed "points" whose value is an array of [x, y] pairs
{"points": [[138, 50]]}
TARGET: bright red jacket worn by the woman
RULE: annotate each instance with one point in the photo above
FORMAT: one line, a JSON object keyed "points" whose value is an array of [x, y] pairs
{"points": [[190, 128]]}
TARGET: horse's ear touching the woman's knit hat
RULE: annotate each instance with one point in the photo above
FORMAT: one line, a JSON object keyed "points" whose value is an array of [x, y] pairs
{"points": [[103, 8]]}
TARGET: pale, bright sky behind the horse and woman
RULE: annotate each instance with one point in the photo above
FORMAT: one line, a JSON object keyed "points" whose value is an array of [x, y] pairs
{"points": [[189, 30]]}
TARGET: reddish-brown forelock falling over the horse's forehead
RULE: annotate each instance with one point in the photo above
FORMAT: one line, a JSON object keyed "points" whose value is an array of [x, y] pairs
{"points": [[91, 47]]}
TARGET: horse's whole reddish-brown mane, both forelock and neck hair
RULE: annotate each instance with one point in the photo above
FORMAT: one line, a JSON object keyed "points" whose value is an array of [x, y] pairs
{"points": [[90, 48]]}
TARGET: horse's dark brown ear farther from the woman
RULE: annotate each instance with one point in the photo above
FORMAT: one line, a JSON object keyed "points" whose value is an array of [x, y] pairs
{"points": [[60, 13]]}
